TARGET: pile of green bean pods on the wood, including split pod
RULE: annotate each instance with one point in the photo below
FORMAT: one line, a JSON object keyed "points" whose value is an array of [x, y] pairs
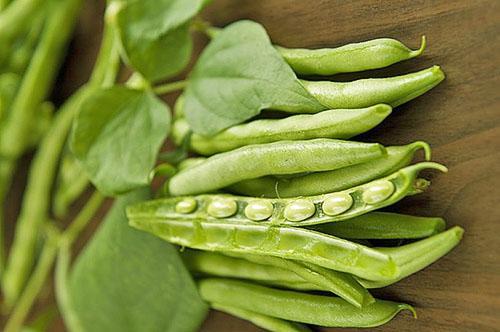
{"points": [[275, 208]]}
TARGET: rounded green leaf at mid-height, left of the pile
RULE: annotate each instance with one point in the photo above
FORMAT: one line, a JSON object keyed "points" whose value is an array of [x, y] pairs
{"points": [[117, 135]]}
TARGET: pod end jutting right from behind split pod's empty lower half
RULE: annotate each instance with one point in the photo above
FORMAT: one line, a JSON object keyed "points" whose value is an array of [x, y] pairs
{"points": [[415, 256]]}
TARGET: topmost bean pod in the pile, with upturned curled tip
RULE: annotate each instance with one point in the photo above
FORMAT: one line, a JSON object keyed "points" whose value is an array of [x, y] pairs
{"points": [[372, 54]]}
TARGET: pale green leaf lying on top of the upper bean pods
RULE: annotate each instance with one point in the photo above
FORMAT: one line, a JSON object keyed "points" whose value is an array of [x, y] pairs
{"points": [[238, 74]]}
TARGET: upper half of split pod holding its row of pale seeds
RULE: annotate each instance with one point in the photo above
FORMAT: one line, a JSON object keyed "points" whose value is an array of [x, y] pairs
{"points": [[306, 211]]}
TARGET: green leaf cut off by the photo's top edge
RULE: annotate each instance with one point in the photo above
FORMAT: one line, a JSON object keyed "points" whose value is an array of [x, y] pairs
{"points": [[155, 35]]}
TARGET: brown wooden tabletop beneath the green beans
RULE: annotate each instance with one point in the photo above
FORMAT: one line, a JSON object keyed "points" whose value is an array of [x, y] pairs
{"points": [[460, 119]]}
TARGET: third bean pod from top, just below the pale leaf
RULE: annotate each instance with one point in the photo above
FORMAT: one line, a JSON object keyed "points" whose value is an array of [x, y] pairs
{"points": [[340, 124]]}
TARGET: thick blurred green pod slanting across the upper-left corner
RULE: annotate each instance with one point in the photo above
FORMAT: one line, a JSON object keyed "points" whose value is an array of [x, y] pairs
{"points": [[38, 78]]}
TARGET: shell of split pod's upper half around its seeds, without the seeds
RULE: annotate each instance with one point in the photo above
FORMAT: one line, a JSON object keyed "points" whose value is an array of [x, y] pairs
{"points": [[403, 182]]}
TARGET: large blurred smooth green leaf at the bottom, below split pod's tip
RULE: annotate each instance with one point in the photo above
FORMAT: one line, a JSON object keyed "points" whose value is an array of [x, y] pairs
{"points": [[129, 281]]}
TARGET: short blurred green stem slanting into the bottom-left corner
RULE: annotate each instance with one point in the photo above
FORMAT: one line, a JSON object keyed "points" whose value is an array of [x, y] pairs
{"points": [[35, 284]]}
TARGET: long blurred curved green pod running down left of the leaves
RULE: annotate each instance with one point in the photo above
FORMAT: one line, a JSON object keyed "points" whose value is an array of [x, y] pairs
{"points": [[35, 207]]}
